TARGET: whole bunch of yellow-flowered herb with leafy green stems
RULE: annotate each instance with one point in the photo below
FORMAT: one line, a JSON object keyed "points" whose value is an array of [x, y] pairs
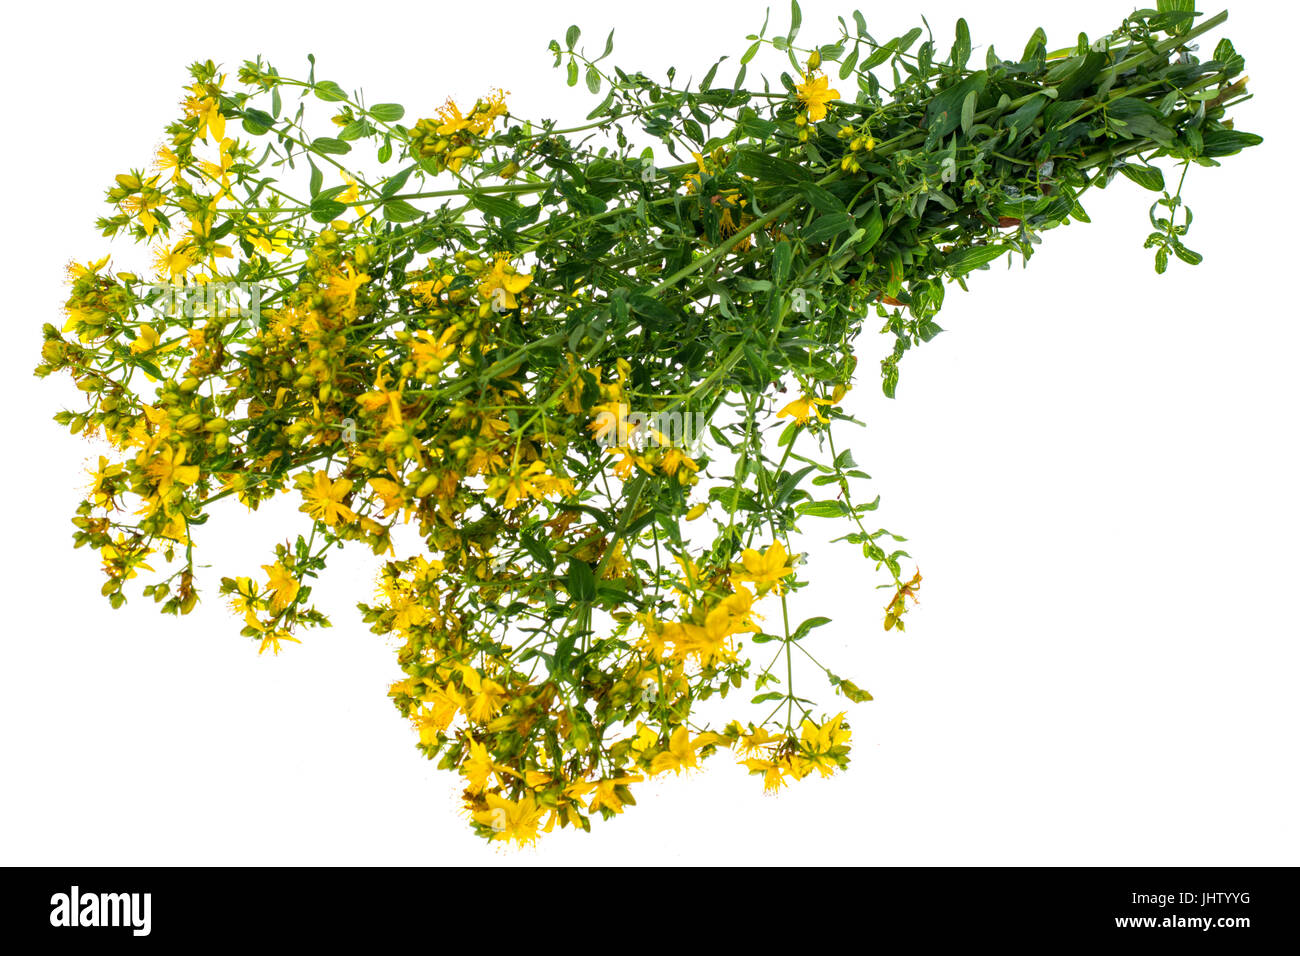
{"points": [[506, 370]]}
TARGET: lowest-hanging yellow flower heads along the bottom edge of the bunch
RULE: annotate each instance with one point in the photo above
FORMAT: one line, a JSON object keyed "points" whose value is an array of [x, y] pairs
{"points": [[528, 760]]}
